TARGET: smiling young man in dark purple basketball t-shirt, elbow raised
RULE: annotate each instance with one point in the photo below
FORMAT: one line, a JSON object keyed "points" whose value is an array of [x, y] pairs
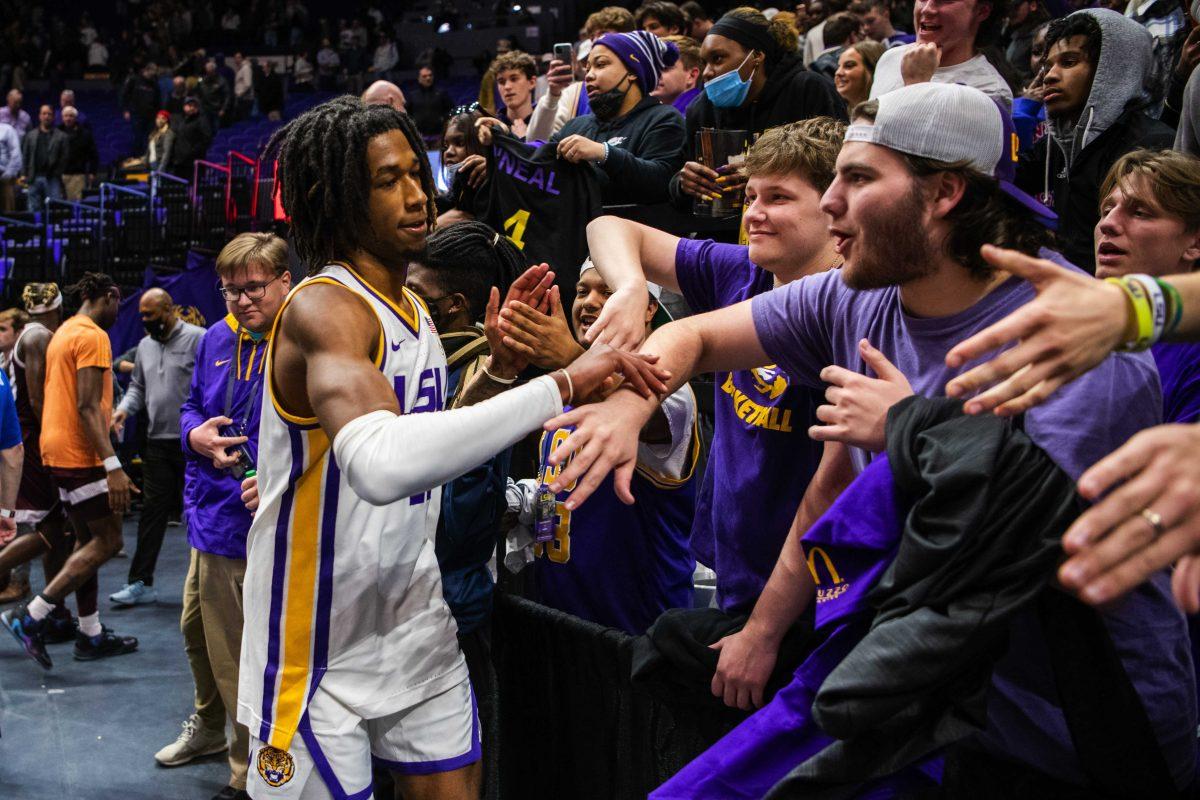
{"points": [[763, 460]]}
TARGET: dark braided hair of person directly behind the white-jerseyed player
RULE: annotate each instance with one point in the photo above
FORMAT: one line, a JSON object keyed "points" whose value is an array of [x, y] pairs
{"points": [[470, 258]]}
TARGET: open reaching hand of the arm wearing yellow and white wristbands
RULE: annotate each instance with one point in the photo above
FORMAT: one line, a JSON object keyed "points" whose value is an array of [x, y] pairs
{"points": [[1070, 328]]}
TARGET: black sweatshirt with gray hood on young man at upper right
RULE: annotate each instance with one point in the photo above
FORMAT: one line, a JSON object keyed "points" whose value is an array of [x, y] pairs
{"points": [[1067, 173]]}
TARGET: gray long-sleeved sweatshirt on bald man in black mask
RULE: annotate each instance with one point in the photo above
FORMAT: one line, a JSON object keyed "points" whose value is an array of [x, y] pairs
{"points": [[163, 377]]}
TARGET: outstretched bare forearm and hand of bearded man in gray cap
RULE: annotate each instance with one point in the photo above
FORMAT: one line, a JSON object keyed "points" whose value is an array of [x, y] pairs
{"points": [[607, 435]]}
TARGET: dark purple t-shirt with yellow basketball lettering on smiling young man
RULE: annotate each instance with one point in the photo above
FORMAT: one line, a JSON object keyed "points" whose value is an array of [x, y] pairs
{"points": [[761, 459]]}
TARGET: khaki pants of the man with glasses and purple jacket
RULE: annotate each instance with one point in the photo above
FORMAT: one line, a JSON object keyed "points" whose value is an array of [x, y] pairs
{"points": [[212, 625]]}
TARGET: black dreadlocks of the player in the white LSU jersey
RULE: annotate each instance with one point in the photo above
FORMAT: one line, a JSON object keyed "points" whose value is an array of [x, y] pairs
{"points": [[323, 166]]}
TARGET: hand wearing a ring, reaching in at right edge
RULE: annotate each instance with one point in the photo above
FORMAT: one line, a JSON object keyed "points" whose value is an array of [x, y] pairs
{"points": [[1114, 546]]}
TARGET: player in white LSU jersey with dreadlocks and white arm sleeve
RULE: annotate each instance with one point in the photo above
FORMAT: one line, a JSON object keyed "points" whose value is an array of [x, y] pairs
{"points": [[350, 652]]}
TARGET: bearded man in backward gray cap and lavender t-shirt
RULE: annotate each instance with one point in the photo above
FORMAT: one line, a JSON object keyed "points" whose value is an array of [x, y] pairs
{"points": [[921, 189]]}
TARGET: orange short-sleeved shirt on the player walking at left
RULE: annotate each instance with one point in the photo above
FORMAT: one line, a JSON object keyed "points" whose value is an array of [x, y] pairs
{"points": [[79, 344]]}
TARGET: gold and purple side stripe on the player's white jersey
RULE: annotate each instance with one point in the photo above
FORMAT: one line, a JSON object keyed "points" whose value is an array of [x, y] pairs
{"points": [[302, 587]]}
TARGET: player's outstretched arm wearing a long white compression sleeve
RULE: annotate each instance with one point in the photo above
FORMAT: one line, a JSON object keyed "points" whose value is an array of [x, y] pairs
{"points": [[388, 456]]}
